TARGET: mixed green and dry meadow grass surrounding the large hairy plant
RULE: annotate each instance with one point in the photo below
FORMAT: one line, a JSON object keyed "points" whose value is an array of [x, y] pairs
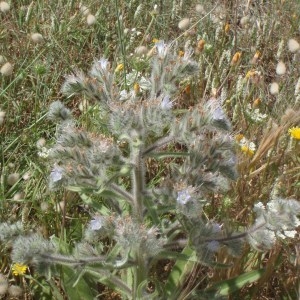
{"points": [[70, 44]]}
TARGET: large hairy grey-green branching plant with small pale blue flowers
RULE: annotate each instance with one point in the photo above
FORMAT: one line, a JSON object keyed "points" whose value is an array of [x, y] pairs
{"points": [[137, 222]]}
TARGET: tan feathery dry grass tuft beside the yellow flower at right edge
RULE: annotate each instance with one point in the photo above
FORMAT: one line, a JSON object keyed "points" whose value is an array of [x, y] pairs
{"points": [[273, 133]]}
